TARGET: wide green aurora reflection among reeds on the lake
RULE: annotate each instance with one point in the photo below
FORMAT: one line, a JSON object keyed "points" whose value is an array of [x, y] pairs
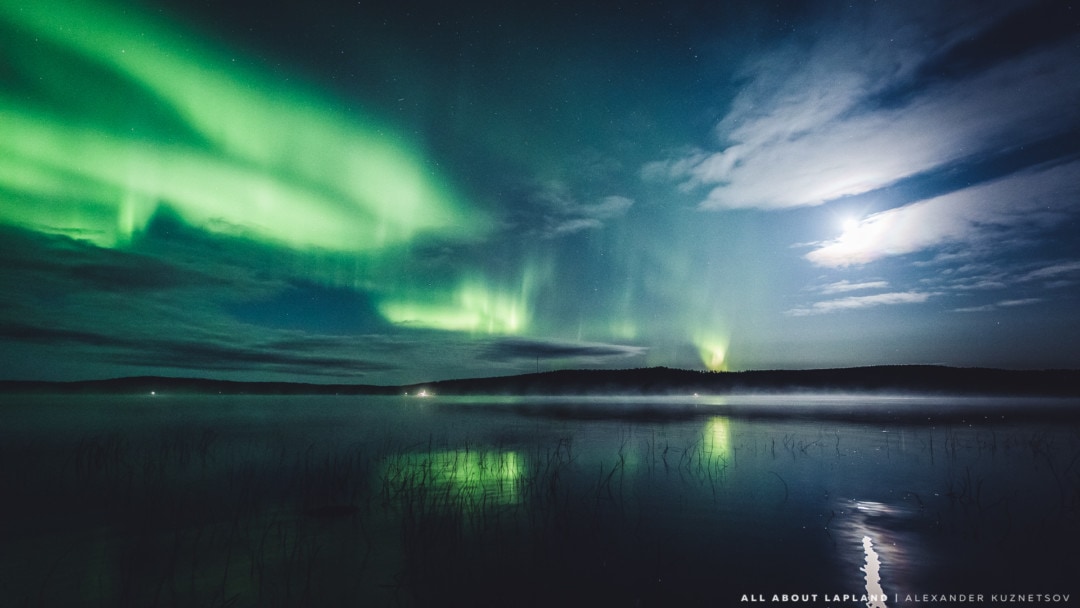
{"points": [[461, 478]]}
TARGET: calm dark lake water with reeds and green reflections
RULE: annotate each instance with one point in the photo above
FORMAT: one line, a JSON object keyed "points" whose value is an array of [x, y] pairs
{"points": [[618, 502]]}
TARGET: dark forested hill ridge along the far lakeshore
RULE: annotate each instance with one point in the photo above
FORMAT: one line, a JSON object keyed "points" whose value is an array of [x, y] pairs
{"points": [[653, 381]]}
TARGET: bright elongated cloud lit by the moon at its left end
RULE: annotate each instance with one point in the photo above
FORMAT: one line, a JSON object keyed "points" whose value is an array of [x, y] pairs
{"points": [[976, 217]]}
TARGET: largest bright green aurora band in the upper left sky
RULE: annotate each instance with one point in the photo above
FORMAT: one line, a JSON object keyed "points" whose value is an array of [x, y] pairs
{"points": [[229, 151]]}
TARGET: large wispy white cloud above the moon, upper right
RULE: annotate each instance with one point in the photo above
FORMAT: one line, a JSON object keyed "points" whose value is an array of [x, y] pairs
{"points": [[822, 121]]}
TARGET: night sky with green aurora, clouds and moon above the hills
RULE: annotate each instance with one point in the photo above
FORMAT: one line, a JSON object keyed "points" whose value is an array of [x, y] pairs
{"points": [[390, 193]]}
